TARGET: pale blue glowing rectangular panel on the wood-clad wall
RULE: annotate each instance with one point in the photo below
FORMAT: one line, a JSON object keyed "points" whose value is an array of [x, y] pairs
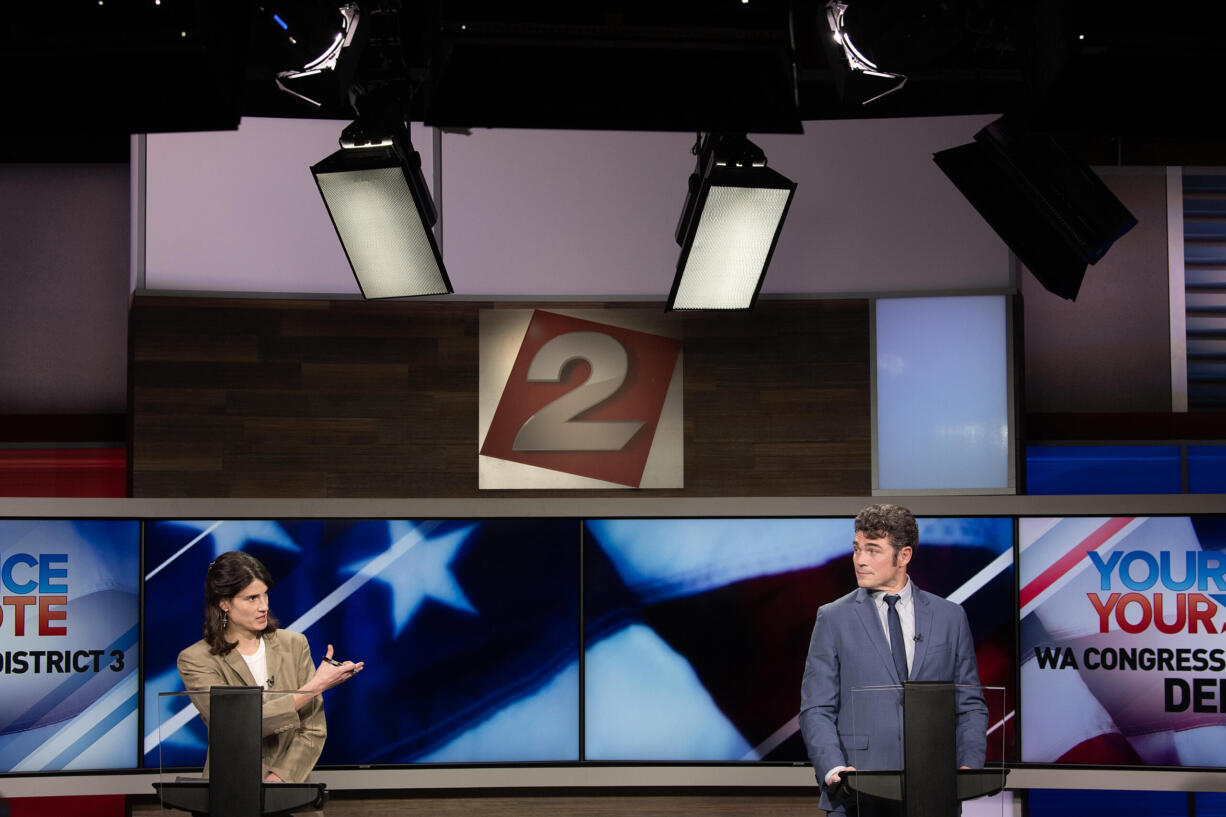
{"points": [[942, 420]]}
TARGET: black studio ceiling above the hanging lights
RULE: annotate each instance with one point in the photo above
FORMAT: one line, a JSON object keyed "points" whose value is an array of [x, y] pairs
{"points": [[1117, 83]]}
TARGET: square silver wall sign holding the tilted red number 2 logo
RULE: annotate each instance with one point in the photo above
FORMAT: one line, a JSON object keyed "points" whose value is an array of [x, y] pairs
{"points": [[579, 401]]}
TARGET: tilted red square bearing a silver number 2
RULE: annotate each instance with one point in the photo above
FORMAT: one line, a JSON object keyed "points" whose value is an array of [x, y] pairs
{"points": [[583, 398]]}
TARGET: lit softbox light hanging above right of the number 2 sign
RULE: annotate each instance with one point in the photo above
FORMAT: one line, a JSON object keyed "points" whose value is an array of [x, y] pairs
{"points": [[734, 214]]}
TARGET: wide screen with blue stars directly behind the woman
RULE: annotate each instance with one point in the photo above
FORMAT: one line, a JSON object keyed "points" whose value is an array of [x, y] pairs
{"points": [[469, 631]]}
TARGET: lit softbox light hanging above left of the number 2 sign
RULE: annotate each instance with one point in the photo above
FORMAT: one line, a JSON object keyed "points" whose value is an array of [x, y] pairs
{"points": [[383, 213]]}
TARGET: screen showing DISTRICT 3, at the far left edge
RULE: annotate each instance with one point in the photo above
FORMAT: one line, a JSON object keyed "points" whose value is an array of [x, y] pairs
{"points": [[69, 629]]}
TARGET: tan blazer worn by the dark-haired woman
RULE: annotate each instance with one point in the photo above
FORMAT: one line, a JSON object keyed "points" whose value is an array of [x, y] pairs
{"points": [[294, 739]]}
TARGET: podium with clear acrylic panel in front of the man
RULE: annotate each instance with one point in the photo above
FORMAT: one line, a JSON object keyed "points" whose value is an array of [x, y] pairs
{"points": [[919, 776]]}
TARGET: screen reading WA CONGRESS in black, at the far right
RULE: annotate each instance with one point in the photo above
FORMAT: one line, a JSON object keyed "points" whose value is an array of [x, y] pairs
{"points": [[1122, 641]]}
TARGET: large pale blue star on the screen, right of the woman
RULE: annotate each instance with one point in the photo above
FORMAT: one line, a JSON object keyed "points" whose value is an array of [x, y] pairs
{"points": [[417, 569]]}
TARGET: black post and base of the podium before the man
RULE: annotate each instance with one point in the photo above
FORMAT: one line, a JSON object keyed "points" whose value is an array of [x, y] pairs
{"points": [[930, 784]]}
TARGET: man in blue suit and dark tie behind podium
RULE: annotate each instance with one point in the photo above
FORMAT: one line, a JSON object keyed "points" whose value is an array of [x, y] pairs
{"points": [[883, 634]]}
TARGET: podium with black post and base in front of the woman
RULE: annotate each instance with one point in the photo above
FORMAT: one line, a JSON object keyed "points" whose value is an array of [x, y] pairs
{"points": [[235, 787]]}
